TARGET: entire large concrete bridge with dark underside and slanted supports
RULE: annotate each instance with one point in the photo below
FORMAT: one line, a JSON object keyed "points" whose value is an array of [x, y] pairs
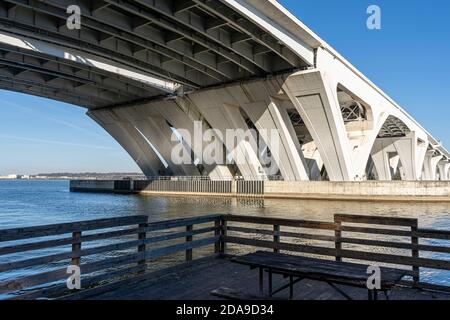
{"points": [[147, 69]]}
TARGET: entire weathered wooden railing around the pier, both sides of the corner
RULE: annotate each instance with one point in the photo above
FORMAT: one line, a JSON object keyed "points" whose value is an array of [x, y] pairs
{"points": [[111, 249]]}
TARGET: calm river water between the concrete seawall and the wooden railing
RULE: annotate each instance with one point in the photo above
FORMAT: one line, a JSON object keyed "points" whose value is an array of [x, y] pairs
{"points": [[25, 203]]}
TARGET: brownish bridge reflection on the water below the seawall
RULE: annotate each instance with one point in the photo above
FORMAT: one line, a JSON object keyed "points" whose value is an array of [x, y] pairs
{"points": [[429, 214]]}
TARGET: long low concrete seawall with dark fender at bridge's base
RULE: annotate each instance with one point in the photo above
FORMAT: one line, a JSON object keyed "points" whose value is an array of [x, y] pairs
{"points": [[426, 191]]}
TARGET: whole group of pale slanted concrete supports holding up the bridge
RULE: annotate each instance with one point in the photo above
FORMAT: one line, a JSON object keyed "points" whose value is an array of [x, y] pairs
{"points": [[151, 132]]}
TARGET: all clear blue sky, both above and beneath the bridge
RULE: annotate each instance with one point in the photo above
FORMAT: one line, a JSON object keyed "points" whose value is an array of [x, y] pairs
{"points": [[409, 59]]}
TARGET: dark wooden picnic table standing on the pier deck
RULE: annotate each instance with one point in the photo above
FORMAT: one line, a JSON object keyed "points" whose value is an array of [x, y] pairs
{"points": [[298, 268]]}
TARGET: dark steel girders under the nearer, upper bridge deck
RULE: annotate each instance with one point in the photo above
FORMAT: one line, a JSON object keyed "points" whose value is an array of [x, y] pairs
{"points": [[195, 47]]}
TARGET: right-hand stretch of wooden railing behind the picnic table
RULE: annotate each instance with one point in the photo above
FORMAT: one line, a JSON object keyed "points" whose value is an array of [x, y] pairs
{"points": [[397, 242]]}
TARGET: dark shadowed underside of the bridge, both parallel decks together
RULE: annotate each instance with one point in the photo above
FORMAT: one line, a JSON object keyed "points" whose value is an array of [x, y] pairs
{"points": [[194, 44]]}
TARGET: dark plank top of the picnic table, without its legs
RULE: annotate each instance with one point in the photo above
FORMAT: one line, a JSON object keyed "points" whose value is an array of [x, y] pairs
{"points": [[319, 269]]}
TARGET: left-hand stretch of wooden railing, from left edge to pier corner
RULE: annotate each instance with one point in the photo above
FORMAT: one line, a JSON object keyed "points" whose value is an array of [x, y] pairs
{"points": [[104, 249]]}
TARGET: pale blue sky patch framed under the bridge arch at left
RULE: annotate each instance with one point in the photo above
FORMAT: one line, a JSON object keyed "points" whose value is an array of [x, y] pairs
{"points": [[39, 135]]}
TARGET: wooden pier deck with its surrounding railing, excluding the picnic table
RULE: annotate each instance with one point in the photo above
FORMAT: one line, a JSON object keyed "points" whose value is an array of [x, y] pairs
{"points": [[192, 258]]}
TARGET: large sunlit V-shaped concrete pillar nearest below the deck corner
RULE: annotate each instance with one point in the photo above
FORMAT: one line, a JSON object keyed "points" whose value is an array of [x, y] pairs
{"points": [[344, 150]]}
